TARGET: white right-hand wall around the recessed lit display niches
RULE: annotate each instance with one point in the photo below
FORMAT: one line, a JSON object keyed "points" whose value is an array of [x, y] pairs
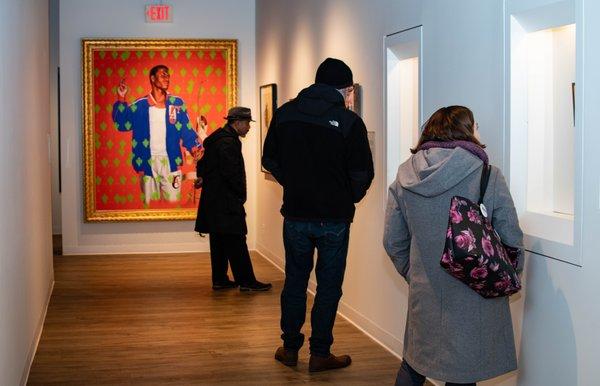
{"points": [[557, 316]]}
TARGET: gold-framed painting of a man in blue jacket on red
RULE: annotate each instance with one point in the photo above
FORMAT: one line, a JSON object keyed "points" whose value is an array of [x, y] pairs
{"points": [[147, 105]]}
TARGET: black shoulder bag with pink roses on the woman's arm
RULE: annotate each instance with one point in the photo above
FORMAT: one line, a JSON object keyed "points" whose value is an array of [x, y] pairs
{"points": [[474, 252]]}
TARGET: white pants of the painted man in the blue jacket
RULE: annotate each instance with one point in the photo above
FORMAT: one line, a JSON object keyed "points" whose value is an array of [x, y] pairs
{"points": [[162, 180]]}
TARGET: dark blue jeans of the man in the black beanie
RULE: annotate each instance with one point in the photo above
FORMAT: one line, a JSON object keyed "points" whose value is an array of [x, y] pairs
{"points": [[300, 240]]}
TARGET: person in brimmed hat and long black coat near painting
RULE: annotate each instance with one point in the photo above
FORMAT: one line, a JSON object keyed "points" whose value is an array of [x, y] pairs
{"points": [[221, 209]]}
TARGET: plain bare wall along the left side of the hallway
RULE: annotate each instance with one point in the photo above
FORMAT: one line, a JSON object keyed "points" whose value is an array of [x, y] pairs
{"points": [[26, 273]]}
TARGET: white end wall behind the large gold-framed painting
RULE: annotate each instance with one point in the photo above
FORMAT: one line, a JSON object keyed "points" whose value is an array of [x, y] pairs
{"points": [[226, 19]]}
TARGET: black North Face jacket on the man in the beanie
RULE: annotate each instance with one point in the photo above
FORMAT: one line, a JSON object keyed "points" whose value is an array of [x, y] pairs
{"points": [[319, 152]]}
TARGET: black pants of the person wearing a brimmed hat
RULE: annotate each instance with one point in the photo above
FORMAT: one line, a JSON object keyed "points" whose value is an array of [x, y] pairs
{"points": [[230, 248]]}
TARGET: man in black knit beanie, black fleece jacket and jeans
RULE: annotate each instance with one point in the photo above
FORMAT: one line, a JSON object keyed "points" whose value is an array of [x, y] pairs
{"points": [[319, 152]]}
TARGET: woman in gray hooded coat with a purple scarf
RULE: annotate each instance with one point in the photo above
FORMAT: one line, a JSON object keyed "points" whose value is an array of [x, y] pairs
{"points": [[452, 333]]}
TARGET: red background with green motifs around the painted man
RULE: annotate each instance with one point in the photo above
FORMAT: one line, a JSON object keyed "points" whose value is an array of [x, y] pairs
{"points": [[197, 76]]}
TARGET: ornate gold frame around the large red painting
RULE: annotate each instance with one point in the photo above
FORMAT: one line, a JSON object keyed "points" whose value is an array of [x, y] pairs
{"points": [[88, 47]]}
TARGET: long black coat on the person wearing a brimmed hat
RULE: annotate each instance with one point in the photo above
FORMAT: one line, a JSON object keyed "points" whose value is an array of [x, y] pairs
{"points": [[221, 207]]}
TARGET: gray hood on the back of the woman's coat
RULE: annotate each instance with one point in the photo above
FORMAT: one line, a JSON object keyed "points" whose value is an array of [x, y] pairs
{"points": [[432, 172]]}
